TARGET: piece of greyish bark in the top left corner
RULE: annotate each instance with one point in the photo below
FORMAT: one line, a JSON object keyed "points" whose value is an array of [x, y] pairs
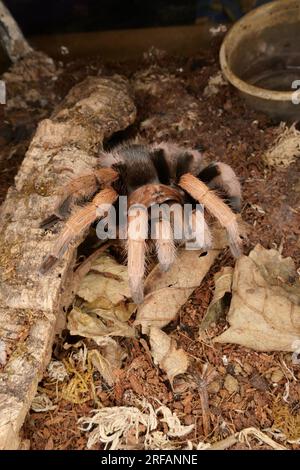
{"points": [[11, 36]]}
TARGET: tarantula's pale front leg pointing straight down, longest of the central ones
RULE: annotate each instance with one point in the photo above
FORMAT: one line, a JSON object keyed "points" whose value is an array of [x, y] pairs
{"points": [[137, 234]]}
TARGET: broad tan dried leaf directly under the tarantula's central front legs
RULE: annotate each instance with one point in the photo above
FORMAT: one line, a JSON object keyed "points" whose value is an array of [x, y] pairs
{"points": [[166, 292]]}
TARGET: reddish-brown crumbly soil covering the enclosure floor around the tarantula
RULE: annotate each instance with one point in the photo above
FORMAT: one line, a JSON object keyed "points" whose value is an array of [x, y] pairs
{"points": [[174, 103]]}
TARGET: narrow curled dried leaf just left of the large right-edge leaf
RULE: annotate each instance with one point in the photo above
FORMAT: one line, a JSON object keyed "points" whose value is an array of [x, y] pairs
{"points": [[217, 307]]}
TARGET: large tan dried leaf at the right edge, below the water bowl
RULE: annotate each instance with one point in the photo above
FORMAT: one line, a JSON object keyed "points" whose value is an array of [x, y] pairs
{"points": [[265, 309]]}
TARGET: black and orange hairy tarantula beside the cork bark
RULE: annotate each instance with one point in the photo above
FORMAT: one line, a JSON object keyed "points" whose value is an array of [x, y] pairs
{"points": [[162, 173]]}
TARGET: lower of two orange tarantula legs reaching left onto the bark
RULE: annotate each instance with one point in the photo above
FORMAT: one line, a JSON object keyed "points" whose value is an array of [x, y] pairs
{"points": [[77, 224]]}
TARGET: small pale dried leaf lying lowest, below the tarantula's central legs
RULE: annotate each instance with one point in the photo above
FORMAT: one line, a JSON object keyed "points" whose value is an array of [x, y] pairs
{"points": [[165, 353]]}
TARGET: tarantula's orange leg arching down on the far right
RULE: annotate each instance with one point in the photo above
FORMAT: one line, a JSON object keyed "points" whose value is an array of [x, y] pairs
{"points": [[201, 193]]}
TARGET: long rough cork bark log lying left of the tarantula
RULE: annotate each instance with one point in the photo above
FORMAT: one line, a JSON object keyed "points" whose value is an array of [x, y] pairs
{"points": [[64, 146]]}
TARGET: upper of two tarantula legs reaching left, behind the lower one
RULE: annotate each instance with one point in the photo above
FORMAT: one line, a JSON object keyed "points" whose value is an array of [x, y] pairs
{"points": [[77, 190]]}
